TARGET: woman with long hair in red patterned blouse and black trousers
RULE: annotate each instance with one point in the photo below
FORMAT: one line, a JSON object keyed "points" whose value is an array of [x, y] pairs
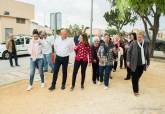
{"points": [[83, 56]]}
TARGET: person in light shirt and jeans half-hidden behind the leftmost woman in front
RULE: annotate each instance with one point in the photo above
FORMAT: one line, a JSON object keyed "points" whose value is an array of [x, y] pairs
{"points": [[47, 51]]}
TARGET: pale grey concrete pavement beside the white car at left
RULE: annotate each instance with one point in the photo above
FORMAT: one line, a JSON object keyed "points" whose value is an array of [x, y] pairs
{"points": [[13, 74]]}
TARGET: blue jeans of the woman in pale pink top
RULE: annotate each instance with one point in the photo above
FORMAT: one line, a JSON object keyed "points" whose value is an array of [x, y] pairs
{"points": [[33, 65]]}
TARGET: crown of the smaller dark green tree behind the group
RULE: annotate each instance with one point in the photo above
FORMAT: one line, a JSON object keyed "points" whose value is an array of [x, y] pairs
{"points": [[113, 19]]}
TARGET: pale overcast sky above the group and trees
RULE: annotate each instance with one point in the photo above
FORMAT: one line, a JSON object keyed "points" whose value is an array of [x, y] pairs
{"points": [[77, 12]]}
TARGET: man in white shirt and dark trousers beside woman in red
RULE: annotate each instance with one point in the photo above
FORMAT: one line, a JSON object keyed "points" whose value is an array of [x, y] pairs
{"points": [[63, 47]]}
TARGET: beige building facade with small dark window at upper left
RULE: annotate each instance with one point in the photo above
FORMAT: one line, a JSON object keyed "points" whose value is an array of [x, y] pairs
{"points": [[15, 17]]}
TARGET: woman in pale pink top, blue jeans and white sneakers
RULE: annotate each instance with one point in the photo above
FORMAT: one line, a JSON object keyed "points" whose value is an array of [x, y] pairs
{"points": [[36, 59]]}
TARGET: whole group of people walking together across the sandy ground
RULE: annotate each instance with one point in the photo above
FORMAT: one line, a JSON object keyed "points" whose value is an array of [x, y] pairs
{"points": [[103, 54]]}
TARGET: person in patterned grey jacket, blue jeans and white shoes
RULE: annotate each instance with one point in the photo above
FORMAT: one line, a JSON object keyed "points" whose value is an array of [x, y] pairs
{"points": [[105, 60]]}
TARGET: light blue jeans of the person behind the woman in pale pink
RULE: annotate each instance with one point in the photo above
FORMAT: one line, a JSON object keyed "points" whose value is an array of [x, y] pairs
{"points": [[47, 60]]}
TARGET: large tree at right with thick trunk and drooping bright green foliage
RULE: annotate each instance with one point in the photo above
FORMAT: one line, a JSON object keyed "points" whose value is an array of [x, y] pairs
{"points": [[149, 11]]}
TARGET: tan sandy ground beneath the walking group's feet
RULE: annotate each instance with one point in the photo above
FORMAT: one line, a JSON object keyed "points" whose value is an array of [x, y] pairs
{"points": [[118, 99]]}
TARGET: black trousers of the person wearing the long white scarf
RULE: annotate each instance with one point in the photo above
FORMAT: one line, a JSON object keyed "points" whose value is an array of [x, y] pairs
{"points": [[135, 78]]}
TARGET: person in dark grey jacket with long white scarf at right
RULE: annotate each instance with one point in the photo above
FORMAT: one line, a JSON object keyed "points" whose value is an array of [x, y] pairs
{"points": [[138, 60]]}
